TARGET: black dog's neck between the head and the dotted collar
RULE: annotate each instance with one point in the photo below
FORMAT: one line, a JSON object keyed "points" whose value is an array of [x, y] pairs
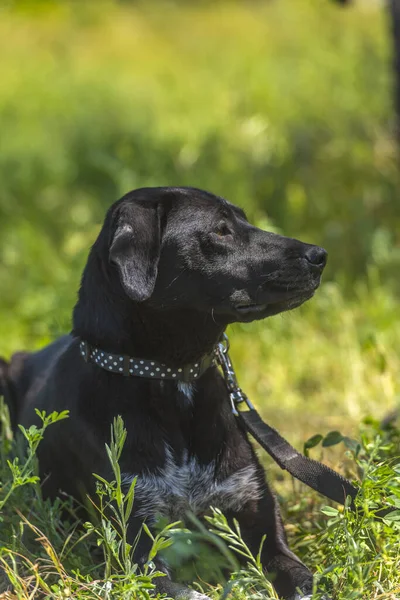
{"points": [[108, 319]]}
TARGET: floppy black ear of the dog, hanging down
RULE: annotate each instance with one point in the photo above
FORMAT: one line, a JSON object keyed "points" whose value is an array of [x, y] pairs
{"points": [[135, 248]]}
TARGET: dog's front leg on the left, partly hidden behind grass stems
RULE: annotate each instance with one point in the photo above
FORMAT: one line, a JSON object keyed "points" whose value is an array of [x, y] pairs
{"points": [[163, 584]]}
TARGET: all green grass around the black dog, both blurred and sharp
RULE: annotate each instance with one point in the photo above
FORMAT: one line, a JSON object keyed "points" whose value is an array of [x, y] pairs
{"points": [[284, 108]]}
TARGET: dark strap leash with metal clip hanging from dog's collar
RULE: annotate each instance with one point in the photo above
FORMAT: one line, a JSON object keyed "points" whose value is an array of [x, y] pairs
{"points": [[315, 474]]}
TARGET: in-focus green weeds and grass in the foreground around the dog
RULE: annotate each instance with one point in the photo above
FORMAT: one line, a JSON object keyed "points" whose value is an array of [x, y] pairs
{"points": [[43, 554]]}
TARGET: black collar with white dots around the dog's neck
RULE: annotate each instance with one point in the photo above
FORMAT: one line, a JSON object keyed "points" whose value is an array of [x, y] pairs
{"points": [[138, 367]]}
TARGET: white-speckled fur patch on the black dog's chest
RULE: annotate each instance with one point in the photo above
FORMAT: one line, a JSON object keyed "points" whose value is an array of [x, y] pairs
{"points": [[187, 485]]}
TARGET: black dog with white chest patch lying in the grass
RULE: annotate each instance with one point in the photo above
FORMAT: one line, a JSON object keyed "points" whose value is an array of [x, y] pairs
{"points": [[171, 268]]}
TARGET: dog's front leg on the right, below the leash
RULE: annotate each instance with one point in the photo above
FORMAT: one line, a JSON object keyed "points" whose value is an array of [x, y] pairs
{"points": [[291, 578]]}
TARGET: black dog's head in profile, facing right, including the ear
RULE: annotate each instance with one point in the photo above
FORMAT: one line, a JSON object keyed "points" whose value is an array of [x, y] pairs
{"points": [[179, 248]]}
